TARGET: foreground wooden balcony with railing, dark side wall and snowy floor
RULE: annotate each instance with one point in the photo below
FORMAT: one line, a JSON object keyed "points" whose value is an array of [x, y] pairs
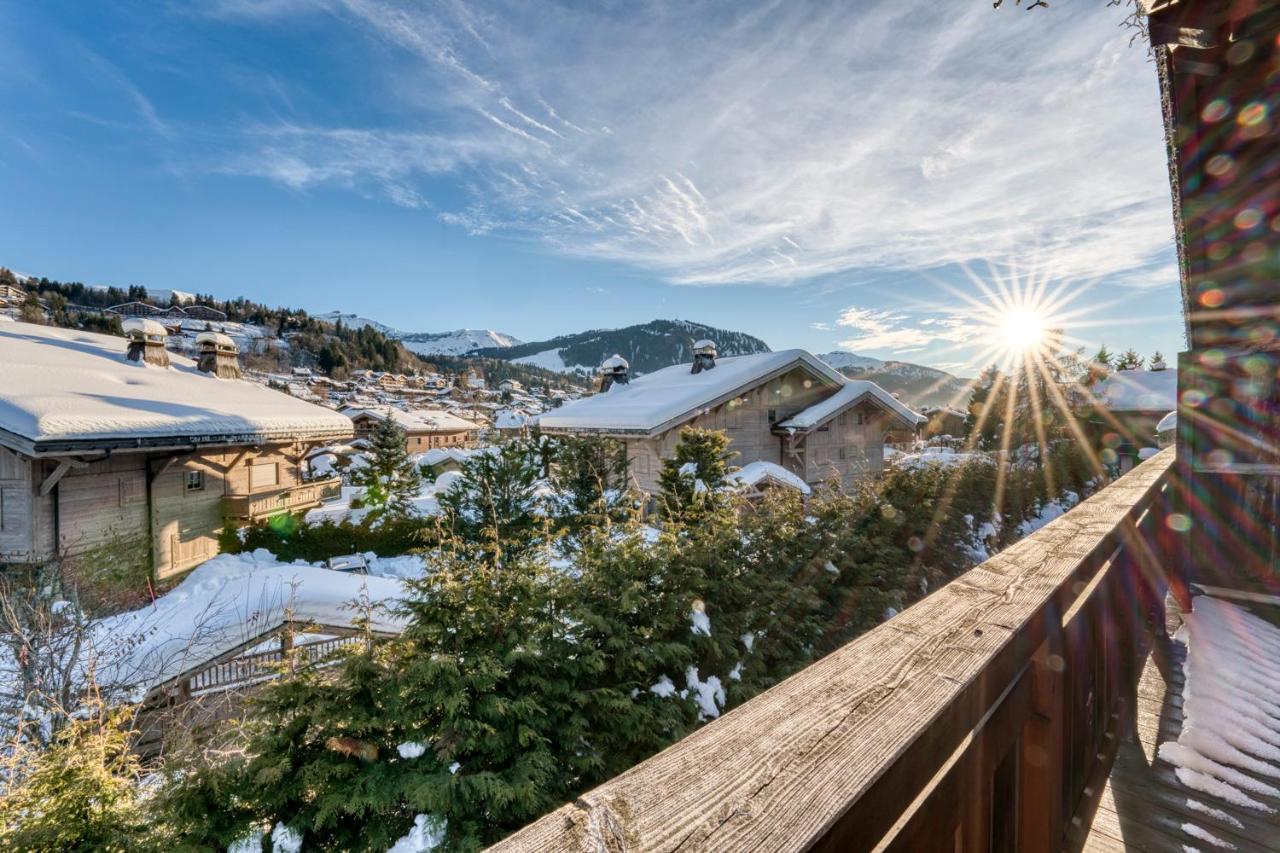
{"points": [[1113, 681]]}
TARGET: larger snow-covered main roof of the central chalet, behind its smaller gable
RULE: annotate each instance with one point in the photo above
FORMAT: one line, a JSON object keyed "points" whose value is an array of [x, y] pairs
{"points": [[668, 398]]}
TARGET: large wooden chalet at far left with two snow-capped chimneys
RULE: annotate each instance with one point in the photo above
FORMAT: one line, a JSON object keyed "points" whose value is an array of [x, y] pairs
{"points": [[109, 444]]}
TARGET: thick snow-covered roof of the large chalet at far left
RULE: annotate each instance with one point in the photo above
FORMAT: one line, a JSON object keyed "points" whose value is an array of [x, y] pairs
{"points": [[67, 390]]}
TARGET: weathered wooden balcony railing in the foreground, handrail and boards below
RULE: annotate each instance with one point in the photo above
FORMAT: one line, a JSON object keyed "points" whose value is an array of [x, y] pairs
{"points": [[985, 718]]}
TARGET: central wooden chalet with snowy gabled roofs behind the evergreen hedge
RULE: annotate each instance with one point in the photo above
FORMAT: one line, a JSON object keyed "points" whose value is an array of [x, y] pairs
{"points": [[785, 408]]}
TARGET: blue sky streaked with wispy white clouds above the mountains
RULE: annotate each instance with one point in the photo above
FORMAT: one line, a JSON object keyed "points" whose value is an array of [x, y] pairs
{"points": [[861, 176]]}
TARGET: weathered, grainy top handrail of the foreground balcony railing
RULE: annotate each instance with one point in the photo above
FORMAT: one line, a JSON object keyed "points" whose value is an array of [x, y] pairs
{"points": [[861, 733]]}
